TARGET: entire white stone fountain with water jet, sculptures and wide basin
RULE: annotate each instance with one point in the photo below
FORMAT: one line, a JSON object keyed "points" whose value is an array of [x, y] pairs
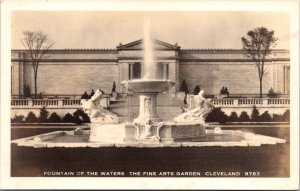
{"points": [[148, 129]]}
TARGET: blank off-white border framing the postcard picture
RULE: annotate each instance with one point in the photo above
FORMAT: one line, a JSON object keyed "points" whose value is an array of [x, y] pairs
{"points": [[7, 182]]}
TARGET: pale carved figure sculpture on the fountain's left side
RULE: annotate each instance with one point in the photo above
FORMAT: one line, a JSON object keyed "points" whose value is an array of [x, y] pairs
{"points": [[95, 111]]}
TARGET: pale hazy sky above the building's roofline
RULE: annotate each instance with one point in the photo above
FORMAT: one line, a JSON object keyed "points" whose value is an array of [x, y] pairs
{"points": [[106, 29]]}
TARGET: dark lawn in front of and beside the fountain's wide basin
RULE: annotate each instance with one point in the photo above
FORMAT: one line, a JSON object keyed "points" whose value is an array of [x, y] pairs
{"points": [[269, 160]]}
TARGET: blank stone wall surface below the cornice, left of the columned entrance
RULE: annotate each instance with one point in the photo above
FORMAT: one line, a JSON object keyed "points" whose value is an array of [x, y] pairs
{"points": [[72, 78]]}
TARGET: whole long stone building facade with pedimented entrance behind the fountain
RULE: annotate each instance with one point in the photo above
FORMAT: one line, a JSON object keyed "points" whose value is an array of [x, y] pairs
{"points": [[71, 72]]}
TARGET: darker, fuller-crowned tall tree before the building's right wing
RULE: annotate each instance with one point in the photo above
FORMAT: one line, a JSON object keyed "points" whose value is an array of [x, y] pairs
{"points": [[257, 45]]}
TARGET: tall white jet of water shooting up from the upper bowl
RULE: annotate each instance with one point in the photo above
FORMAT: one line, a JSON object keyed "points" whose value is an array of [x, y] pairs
{"points": [[149, 61]]}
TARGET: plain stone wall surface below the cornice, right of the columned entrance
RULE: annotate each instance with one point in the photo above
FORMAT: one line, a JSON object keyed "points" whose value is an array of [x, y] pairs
{"points": [[240, 78]]}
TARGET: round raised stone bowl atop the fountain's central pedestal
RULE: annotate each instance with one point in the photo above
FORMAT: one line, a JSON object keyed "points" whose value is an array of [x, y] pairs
{"points": [[147, 86]]}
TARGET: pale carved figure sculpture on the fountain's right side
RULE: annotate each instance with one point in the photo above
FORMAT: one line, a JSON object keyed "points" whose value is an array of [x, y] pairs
{"points": [[198, 111]]}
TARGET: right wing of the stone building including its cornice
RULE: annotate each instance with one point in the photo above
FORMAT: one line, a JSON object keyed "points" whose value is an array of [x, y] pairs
{"points": [[213, 69]]}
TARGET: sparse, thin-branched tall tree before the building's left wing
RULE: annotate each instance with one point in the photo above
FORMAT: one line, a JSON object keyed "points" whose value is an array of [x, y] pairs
{"points": [[36, 44]]}
